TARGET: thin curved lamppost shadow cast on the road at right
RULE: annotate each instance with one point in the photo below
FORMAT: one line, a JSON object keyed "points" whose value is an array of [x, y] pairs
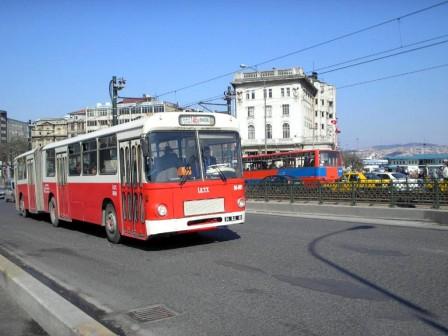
{"points": [[420, 313]]}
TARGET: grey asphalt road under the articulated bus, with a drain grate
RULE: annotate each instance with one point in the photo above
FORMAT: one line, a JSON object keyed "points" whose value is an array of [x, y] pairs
{"points": [[270, 276]]}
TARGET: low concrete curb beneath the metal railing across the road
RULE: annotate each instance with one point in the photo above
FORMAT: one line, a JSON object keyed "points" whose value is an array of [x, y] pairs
{"points": [[335, 212]]}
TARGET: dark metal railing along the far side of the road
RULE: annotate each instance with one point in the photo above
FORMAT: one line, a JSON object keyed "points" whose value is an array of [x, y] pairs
{"points": [[433, 193]]}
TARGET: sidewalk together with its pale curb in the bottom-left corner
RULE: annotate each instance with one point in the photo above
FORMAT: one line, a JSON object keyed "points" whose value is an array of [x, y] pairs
{"points": [[54, 313]]}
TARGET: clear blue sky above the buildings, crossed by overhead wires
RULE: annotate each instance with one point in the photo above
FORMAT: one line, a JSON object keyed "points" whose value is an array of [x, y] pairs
{"points": [[58, 56]]}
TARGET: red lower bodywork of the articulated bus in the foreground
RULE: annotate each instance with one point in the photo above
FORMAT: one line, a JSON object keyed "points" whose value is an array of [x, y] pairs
{"points": [[83, 201]]}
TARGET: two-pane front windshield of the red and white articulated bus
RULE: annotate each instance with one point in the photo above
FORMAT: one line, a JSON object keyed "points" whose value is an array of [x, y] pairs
{"points": [[176, 156]]}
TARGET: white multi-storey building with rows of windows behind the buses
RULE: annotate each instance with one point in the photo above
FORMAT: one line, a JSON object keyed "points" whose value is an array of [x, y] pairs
{"points": [[283, 109]]}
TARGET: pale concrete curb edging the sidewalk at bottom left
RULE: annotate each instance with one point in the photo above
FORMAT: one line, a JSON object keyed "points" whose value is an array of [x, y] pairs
{"points": [[53, 313]]}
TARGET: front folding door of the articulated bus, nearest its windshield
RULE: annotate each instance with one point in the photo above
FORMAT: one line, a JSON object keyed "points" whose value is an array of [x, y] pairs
{"points": [[132, 202]]}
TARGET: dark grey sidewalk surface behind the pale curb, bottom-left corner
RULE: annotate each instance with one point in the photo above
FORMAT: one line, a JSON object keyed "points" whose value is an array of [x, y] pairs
{"points": [[15, 321]]}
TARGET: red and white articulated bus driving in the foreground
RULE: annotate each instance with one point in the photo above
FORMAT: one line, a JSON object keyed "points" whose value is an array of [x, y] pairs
{"points": [[171, 172]]}
